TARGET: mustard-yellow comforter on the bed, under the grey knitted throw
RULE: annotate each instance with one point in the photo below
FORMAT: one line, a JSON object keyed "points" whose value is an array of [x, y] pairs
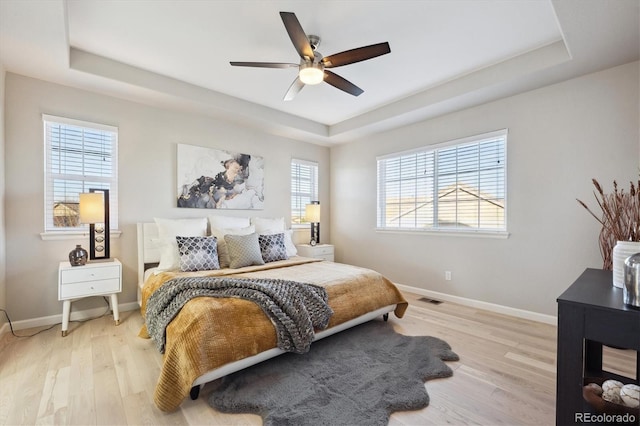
{"points": [[210, 332]]}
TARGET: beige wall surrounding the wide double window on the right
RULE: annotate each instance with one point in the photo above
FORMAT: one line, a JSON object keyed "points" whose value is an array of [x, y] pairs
{"points": [[560, 137]]}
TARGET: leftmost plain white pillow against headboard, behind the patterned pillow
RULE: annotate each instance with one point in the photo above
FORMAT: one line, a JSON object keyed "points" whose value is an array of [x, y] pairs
{"points": [[168, 230]]}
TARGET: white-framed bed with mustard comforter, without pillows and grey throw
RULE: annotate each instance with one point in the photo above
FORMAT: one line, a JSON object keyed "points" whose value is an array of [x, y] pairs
{"points": [[212, 337]]}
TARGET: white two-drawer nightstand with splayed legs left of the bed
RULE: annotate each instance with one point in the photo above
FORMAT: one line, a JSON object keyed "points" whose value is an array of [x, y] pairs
{"points": [[92, 279]]}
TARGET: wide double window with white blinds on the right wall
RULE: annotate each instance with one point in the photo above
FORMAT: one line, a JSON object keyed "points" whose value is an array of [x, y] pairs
{"points": [[456, 186]]}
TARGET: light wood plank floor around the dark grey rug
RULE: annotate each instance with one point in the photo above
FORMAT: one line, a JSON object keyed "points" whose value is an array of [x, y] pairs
{"points": [[102, 374]]}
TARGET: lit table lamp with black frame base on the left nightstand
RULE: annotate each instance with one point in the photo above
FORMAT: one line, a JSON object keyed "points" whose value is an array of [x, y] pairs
{"points": [[94, 209]]}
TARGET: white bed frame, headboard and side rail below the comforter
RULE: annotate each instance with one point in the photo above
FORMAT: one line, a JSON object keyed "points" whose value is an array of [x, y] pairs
{"points": [[149, 256]]}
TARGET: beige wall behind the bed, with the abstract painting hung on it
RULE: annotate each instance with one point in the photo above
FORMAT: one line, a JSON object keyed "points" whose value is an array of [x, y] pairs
{"points": [[147, 171]]}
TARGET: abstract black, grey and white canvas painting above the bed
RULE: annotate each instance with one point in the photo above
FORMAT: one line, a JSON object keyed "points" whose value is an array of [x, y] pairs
{"points": [[217, 179]]}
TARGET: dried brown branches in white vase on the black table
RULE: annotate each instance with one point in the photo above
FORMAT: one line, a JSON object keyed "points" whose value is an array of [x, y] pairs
{"points": [[619, 217]]}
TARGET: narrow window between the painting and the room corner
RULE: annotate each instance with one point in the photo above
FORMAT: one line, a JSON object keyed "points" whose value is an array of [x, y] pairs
{"points": [[304, 188]]}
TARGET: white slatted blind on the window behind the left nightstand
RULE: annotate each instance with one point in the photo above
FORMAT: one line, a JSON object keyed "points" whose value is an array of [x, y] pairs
{"points": [[78, 156]]}
